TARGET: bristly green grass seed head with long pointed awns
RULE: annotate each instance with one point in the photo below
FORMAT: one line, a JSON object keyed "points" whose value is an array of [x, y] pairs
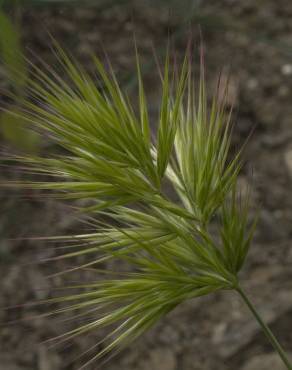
{"points": [[111, 159]]}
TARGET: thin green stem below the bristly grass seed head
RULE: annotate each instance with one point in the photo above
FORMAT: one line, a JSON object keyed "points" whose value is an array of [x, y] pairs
{"points": [[266, 329]]}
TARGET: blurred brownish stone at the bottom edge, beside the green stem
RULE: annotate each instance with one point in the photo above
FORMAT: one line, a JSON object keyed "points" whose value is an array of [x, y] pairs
{"points": [[265, 361]]}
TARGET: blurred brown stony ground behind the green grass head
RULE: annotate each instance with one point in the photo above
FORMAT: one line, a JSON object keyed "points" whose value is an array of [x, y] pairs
{"points": [[249, 39]]}
